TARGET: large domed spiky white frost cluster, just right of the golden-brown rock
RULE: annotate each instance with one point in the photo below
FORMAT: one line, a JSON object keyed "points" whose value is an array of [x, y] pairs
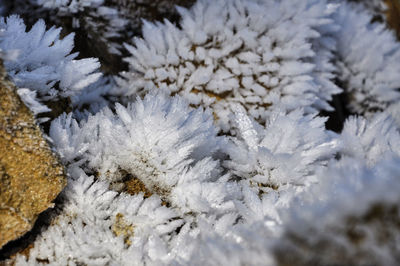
{"points": [[160, 141]]}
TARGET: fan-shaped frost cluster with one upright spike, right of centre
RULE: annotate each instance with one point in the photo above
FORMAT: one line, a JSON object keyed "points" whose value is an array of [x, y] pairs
{"points": [[276, 162]]}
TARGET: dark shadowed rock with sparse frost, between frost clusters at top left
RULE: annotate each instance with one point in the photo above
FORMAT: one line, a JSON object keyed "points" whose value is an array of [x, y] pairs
{"points": [[91, 37]]}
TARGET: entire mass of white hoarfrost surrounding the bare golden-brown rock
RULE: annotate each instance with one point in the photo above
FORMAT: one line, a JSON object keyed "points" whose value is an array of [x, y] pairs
{"points": [[204, 141]]}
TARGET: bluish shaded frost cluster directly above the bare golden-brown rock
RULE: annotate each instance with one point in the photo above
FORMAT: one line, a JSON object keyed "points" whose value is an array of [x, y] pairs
{"points": [[44, 63]]}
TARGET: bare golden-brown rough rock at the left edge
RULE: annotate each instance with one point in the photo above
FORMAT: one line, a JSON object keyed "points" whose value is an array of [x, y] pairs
{"points": [[31, 176]]}
